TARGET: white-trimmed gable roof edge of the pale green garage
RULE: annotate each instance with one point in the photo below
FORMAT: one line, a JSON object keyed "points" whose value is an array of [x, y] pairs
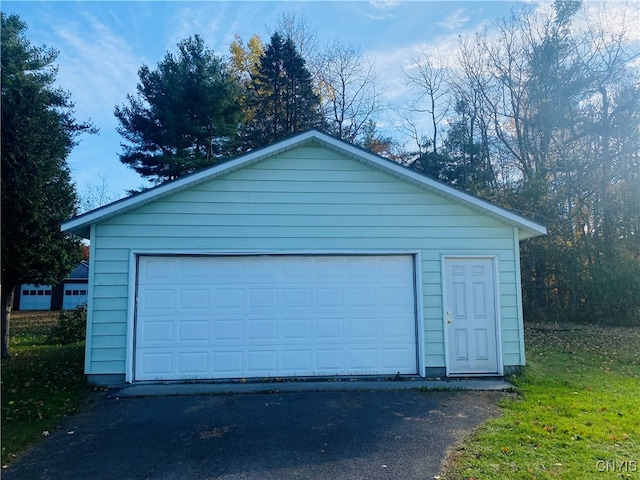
{"points": [[80, 225]]}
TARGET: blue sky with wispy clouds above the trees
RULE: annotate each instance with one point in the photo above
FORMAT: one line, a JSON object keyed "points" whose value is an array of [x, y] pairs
{"points": [[103, 44]]}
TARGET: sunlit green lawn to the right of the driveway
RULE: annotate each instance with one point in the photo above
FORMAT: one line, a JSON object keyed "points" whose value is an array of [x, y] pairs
{"points": [[576, 414]]}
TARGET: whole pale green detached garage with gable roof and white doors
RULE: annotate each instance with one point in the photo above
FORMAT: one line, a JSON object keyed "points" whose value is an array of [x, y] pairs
{"points": [[310, 257]]}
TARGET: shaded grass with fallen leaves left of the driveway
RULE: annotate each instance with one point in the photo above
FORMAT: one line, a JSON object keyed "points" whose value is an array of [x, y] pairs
{"points": [[40, 383]]}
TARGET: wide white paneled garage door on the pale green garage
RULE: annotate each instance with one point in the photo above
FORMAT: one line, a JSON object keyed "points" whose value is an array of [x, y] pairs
{"points": [[272, 316]]}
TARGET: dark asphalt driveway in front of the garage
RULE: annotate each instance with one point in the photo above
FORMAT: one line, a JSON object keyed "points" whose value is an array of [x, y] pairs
{"points": [[307, 435]]}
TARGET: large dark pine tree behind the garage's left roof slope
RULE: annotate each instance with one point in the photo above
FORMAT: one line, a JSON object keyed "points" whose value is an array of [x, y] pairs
{"points": [[184, 116]]}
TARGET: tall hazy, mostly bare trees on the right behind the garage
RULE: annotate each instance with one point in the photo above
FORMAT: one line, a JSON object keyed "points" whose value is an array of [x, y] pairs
{"points": [[545, 119]]}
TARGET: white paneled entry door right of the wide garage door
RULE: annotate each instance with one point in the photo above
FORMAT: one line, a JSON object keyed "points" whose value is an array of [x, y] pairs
{"points": [[470, 316]]}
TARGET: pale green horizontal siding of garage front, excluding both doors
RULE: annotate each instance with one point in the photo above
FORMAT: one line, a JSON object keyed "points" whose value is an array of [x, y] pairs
{"points": [[308, 200]]}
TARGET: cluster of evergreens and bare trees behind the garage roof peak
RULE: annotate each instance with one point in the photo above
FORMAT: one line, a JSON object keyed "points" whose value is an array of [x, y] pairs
{"points": [[197, 108]]}
